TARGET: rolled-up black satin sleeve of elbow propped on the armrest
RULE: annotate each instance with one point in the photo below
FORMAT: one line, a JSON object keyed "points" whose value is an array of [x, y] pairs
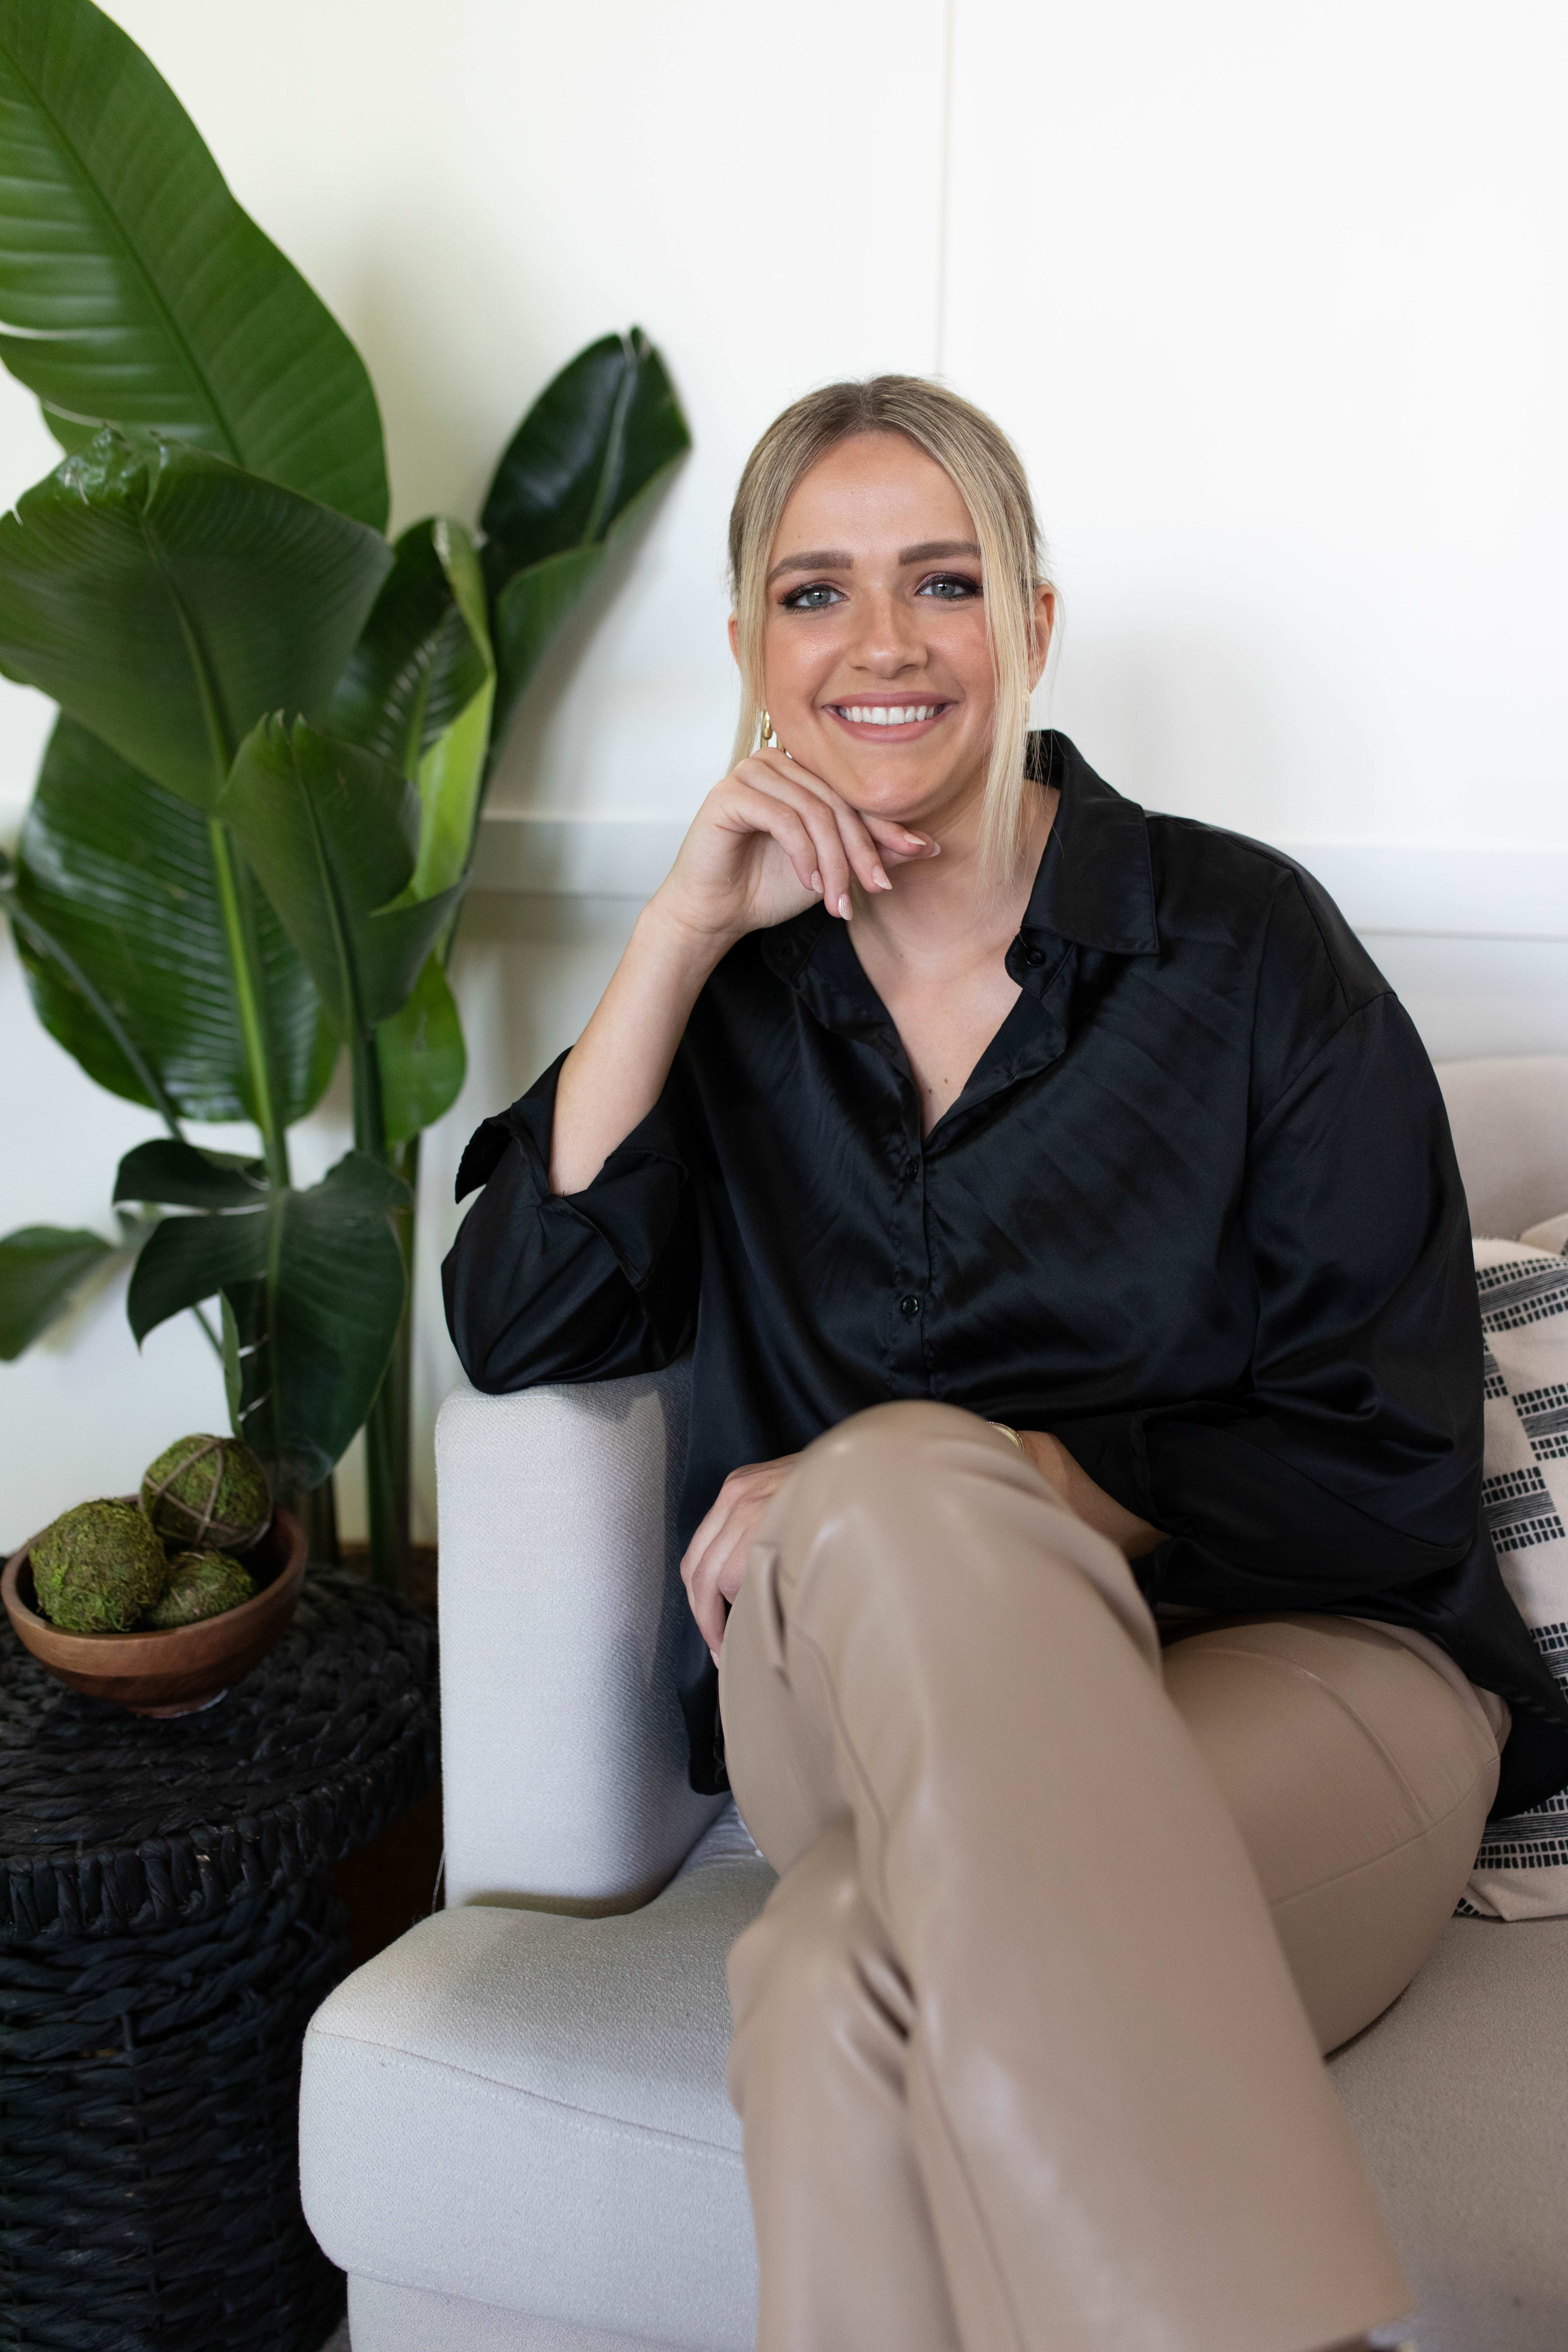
{"points": [[572, 1288]]}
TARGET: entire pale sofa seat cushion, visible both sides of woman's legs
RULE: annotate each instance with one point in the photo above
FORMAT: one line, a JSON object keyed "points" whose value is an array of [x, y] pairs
{"points": [[530, 2113]]}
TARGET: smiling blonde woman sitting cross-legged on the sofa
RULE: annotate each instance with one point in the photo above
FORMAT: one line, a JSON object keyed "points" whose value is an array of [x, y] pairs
{"points": [[1066, 1234]]}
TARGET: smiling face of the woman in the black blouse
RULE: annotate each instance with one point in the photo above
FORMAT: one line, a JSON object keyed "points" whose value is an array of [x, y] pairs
{"points": [[876, 660]]}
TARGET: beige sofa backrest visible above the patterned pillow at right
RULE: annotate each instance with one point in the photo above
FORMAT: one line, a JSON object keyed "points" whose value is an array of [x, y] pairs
{"points": [[1510, 1130]]}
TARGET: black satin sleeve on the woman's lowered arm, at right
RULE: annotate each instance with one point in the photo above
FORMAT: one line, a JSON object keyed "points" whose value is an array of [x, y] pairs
{"points": [[1353, 1462]]}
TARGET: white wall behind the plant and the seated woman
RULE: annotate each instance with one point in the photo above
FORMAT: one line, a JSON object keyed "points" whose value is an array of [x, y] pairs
{"points": [[1268, 298]]}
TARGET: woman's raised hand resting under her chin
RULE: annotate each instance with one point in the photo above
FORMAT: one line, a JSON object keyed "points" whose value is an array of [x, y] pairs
{"points": [[770, 841]]}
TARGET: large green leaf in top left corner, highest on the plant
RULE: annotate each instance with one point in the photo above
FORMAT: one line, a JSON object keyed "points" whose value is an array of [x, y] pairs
{"points": [[142, 293]]}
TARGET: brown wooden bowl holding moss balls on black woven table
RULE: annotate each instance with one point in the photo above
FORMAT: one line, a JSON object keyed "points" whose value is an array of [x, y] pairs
{"points": [[177, 1671]]}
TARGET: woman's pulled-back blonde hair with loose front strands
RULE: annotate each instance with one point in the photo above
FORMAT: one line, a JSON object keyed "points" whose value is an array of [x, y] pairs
{"points": [[993, 486]]}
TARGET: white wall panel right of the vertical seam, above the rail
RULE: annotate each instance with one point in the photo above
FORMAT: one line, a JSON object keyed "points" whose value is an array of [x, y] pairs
{"points": [[1266, 298]]}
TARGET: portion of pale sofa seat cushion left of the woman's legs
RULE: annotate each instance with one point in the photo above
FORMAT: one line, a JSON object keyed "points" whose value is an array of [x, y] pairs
{"points": [[530, 2111]]}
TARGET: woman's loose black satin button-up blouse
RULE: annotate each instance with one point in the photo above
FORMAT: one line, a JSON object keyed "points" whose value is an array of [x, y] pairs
{"points": [[1195, 1212]]}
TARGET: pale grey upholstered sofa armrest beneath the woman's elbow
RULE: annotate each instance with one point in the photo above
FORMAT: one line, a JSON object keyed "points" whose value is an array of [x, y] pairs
{"points": [[563, 1742]]}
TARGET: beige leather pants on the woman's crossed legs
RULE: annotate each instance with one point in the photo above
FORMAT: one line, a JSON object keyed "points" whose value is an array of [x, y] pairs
{"points": [[1028, 2036]]}
